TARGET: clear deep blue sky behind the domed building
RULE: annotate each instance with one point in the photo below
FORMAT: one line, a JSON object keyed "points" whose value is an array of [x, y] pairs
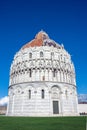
{"points": [[65, 21]]}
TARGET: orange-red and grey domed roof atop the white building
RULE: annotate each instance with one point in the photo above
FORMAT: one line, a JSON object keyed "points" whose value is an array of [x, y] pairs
{"points": [[41, 39]]}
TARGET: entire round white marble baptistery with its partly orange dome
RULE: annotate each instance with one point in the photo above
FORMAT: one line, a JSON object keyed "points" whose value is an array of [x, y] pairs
{"points": [[42, 80]]}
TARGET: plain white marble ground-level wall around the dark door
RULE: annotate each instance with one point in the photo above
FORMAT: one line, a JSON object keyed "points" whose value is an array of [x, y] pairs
{"points": [[21, 103]]}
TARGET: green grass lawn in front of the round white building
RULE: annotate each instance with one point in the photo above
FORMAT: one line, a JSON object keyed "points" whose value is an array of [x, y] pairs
{"points": [[42, 123]]}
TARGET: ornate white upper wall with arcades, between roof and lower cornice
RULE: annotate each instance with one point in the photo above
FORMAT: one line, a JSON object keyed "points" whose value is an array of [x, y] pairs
{"points": [[42, 64]]}
